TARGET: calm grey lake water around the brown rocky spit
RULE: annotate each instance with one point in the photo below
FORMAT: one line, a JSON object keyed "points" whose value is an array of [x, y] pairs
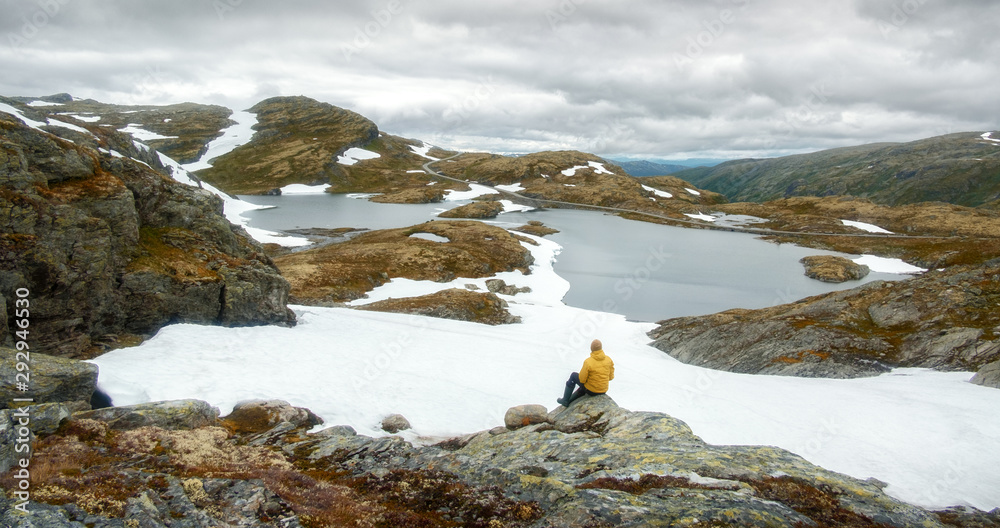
{"points": [[646, 272]]}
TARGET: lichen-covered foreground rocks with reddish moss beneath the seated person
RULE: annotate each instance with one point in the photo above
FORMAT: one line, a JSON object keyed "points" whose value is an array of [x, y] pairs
{"points": [[176, 464]]}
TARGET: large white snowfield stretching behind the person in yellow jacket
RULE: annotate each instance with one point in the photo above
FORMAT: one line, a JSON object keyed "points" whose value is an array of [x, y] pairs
{"points": [[934, 437]]}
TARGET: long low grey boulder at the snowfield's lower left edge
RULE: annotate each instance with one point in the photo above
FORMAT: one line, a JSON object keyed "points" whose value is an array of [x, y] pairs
{"points": [[170, 415]]}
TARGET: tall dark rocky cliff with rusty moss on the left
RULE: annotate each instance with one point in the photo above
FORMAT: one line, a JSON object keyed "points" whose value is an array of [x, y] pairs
{"points": [[111, 249]]}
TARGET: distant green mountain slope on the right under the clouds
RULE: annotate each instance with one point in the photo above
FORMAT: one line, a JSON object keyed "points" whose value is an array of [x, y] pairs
{"points": [[962, 169]]}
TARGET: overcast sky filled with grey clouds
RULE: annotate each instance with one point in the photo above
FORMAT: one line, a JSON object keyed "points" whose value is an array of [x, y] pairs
{"points": [[653, 79]]}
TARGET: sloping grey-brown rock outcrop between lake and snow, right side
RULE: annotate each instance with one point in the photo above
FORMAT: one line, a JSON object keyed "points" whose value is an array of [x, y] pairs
{"points": [[945, 320]]}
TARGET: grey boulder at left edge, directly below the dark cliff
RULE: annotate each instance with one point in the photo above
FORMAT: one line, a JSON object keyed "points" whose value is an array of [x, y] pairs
{"points": [[52, 379]]}
